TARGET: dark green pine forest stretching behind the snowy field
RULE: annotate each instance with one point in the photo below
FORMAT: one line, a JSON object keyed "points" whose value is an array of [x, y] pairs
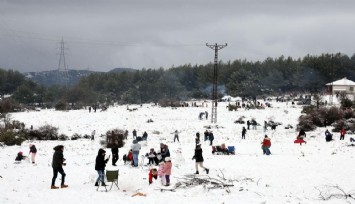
{"points": [[272, 76]]}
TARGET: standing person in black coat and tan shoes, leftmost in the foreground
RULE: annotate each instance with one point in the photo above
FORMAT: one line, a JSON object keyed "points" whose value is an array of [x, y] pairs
{"points": [[57, 165]]}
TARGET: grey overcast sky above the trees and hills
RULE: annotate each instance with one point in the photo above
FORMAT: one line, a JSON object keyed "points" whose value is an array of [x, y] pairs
{"points": [[104, 34]]}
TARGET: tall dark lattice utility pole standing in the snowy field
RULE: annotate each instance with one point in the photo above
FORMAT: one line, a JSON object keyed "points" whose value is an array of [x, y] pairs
{"points": [[215, 47]]}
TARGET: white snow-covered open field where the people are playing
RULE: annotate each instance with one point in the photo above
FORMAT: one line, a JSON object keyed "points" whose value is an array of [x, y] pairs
{"points": [[292, 174]]}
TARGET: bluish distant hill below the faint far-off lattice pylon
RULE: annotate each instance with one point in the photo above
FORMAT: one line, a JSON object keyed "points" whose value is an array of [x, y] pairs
{"points": [[55, 77]]}
